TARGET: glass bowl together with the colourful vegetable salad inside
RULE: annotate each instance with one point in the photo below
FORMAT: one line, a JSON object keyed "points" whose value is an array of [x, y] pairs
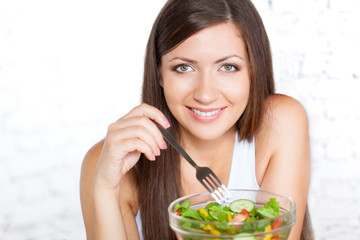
{"points": [[247, 215]]}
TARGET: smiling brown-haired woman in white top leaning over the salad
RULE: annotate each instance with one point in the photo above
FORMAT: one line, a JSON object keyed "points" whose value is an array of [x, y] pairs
{"points": [[208, 75]]}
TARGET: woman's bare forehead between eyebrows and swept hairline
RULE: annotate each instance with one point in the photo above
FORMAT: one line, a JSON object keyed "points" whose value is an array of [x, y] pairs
{"points": [[214, 42]]}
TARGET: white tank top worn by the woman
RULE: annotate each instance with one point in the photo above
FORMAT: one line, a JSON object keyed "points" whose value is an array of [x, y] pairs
{"points": [[242, 173]]}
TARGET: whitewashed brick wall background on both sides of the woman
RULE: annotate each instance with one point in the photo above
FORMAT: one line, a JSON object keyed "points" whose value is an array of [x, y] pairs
{"points": [[69, 68]]}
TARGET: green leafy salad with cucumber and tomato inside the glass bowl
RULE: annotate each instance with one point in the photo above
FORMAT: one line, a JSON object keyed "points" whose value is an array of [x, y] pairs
{"points": [[242, 211]]}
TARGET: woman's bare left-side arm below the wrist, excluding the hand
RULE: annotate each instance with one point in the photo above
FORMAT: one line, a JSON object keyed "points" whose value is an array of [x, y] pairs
{"points": [[105, 212]]}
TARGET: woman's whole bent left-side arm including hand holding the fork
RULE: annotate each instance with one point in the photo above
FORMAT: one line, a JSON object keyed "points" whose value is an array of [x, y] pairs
{"points": [[108, 182]]}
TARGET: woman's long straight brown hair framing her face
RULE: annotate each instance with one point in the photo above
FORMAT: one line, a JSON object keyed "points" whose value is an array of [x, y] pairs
{"points": [[159, 181]]}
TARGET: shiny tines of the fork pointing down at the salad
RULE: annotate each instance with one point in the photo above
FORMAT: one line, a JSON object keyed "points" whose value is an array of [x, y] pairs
{"points": [[216, 188]]}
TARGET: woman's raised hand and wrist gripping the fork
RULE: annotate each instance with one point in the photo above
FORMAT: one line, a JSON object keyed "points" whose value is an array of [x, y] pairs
{"points": [[126, 139]]}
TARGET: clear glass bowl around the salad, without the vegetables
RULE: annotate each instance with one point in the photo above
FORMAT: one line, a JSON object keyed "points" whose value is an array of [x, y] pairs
{"points": [[189, 229]]}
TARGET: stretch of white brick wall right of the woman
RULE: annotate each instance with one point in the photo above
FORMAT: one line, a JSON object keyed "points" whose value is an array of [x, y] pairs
{"points": [[315, 45]]}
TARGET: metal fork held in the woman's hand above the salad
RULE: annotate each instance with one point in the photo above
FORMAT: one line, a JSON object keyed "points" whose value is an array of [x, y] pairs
{"points": [[204, 174]]}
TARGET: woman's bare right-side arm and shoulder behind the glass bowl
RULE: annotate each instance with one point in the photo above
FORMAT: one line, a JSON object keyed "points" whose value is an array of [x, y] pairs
{"points": [[288, 170]]}
